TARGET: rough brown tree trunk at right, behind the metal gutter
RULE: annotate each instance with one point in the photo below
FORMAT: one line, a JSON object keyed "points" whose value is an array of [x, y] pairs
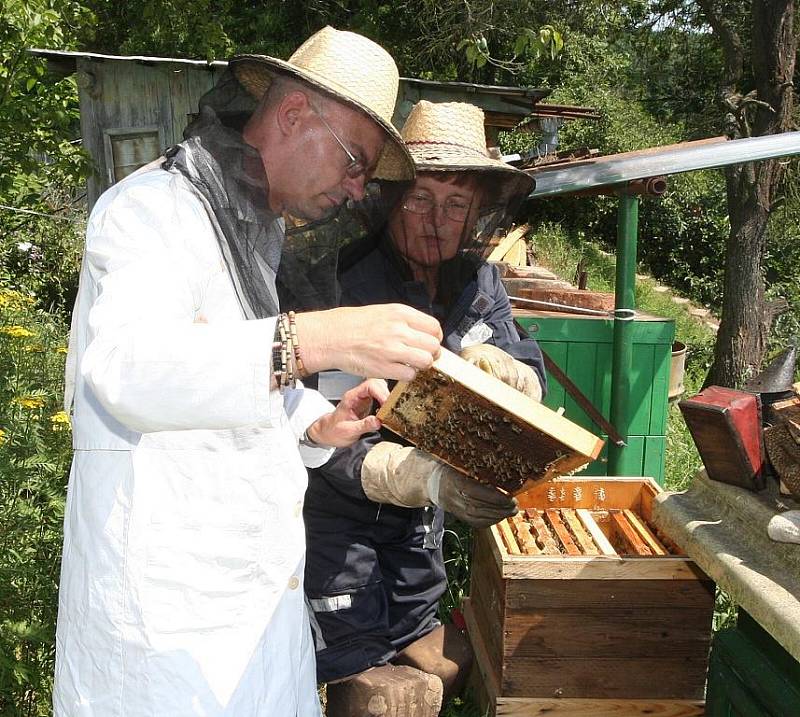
{"points": [[751, 191]]}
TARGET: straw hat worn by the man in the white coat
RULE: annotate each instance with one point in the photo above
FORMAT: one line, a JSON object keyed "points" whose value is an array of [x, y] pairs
{"points": [[352, 69]]}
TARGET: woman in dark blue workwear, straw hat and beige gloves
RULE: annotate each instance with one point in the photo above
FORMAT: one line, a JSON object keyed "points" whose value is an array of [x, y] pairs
{"points": [[375, 512]]}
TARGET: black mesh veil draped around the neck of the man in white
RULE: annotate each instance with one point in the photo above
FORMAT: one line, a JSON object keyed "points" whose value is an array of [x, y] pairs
{"points": [[274, 261]]}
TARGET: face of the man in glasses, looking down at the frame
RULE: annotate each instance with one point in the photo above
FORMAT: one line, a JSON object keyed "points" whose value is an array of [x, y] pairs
{"points": [[320, 181]]}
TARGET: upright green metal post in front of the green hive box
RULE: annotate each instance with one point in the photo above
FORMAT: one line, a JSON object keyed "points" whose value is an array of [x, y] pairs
{"points": [[624, 315]]}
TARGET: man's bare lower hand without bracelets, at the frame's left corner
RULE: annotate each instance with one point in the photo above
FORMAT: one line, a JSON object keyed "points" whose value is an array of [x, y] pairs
{"points": [[351, 418]]}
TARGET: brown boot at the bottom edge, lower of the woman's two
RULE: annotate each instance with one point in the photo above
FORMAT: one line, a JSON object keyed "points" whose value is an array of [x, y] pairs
{"points": [[386, 691]]}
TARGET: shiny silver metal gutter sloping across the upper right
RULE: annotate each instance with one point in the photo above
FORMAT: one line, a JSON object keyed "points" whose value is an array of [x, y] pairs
{"points": [[673, 159]]}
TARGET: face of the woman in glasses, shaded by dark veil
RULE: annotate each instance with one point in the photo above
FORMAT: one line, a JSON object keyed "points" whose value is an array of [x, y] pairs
{"points": [[433, 217]]}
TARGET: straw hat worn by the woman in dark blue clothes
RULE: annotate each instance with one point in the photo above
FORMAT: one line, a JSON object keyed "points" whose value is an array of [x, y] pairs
{"points": [[451, 137]]}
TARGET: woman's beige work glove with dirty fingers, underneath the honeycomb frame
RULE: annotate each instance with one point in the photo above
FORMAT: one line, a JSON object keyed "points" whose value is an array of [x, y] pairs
{"points": [[411, 478]]}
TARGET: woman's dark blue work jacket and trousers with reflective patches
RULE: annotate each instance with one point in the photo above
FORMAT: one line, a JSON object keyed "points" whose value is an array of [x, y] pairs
{"points": [[375, 573]]}
